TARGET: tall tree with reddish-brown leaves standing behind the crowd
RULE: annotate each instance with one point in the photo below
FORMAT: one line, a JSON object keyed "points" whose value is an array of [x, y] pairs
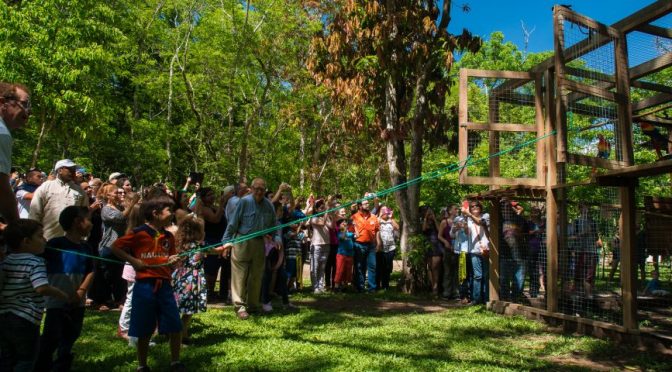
{"points": [[386, 64]]}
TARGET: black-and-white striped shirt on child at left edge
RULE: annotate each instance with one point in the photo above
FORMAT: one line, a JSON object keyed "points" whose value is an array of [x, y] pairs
{"points": [[23, 273]]}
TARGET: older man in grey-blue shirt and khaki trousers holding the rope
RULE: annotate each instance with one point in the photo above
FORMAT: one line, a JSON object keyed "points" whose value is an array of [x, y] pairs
{"points": [[254, 213]]}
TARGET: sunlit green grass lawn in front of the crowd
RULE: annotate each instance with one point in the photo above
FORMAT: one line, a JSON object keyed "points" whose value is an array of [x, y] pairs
{"points": [[386, 331]]}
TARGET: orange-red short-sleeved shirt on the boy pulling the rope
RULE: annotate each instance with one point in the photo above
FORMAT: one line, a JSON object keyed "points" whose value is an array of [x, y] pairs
{"points": [[152, 248]]}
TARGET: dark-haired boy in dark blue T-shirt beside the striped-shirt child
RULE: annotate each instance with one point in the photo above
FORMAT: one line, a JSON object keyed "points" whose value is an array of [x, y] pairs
{"points": [[69, 270]]}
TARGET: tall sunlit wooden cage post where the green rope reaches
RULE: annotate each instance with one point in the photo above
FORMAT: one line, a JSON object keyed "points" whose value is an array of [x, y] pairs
{"points": [[551, 201]]}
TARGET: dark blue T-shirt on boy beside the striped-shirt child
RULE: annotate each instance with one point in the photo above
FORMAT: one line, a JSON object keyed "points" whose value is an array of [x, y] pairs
{"points": [[65, 270]]}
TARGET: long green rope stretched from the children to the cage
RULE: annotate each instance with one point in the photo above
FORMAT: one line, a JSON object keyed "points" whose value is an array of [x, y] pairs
{"points": [[457, 166]]}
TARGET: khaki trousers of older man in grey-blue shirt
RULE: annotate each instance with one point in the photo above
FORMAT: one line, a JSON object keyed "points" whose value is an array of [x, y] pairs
{"points": [[247, 271]]}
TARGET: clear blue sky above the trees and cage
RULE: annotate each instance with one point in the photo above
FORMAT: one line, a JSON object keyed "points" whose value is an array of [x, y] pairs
{"points": [[487, 16]]}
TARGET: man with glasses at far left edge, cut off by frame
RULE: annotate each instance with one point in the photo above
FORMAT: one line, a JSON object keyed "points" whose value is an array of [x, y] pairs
{"points": [[14, 113]]}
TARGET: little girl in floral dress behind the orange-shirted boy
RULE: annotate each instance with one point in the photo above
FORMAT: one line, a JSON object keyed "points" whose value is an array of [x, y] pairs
{"points": [[189, 282]]}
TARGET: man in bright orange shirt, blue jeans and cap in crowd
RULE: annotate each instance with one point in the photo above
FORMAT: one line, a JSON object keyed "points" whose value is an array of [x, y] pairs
{"points": [[366, 230]]}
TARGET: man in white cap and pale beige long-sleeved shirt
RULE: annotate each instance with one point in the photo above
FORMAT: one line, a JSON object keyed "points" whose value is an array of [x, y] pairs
{"points": [[55, 195]]}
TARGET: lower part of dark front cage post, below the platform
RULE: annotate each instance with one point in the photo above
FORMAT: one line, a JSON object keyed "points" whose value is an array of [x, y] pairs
{"points": [[628, 257]]}
